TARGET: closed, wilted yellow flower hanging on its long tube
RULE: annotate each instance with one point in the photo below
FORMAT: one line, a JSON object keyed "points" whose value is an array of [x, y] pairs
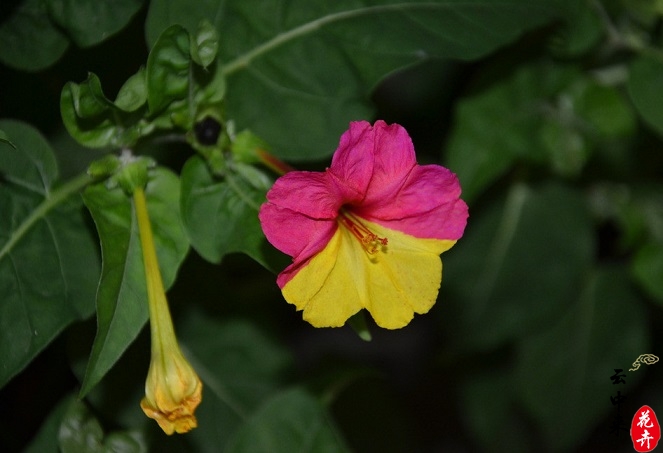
{"points": [[173, 390]]}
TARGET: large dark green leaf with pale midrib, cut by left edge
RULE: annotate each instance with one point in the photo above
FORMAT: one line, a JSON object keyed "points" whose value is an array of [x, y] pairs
{"points": [[48, 256]]}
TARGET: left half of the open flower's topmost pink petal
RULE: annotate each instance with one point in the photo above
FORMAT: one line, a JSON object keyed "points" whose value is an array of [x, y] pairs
{"points": [[352, 163]]}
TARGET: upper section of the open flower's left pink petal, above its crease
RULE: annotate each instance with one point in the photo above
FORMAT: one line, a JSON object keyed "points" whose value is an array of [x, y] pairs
{"points": [[310, 193]]}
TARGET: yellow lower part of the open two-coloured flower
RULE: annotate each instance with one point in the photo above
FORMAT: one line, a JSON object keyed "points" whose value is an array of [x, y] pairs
{"points": [[401, 279]]}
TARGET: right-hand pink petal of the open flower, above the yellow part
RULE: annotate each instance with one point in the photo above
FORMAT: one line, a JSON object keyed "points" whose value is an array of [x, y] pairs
{"points": [[426, 206]]}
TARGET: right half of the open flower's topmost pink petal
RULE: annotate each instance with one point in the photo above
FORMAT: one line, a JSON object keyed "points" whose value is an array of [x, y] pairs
{"points": [[394, 159]]}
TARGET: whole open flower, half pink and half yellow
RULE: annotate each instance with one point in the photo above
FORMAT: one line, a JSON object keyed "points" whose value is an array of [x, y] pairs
{"points": [[366, 233]]}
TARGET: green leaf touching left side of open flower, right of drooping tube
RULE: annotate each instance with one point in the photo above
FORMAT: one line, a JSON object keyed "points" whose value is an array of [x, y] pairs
{"points": [[229, 207]]}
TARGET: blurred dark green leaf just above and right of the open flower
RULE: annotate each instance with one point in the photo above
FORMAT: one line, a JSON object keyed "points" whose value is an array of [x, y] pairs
{"points": [[496, 127]]}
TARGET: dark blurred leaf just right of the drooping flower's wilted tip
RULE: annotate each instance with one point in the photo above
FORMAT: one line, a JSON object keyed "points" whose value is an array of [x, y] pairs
{"points": [[240, 367]]}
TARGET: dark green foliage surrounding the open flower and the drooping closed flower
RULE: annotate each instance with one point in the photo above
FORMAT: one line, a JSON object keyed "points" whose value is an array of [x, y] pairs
{"points": [[552, 121]]}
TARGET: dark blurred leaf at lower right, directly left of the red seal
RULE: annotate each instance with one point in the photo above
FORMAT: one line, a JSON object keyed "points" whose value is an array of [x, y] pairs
{"points": [[563, 372]]}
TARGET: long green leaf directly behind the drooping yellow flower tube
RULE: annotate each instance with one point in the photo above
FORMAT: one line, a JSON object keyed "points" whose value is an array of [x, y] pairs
{"points": [[122, 294]]}
